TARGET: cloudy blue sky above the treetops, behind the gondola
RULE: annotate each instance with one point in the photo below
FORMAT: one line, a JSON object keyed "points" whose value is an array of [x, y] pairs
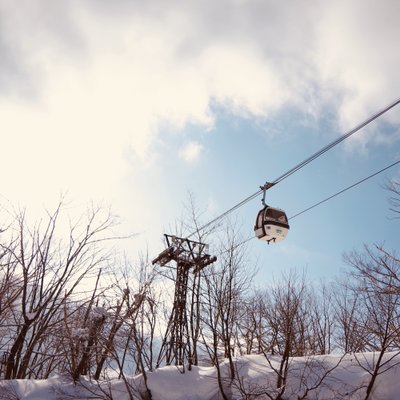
{"points": [[139, 104]]}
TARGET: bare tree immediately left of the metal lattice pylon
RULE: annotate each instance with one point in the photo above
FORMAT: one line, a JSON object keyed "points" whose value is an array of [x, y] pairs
{"points": [[131, 336]]}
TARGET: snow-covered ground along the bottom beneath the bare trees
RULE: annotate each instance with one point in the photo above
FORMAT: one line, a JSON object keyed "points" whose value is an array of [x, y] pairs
{"points": [[323, 377]]}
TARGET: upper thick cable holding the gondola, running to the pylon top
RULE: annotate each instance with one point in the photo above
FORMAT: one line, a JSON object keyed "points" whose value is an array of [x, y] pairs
{"points": [[300, 165]]}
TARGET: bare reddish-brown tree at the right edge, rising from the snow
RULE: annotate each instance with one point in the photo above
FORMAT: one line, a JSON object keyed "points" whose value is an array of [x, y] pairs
{"points": [[376, 275]]}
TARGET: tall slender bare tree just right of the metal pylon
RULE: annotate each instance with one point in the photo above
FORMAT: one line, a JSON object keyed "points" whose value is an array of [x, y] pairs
{"points": [[227, 284]]}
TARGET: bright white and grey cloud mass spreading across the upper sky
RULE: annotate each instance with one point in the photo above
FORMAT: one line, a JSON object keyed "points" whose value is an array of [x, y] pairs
{"points": [[85, 87]]}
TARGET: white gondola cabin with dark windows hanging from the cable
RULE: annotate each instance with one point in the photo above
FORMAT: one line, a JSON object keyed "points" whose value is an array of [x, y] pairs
{"points": [[271, 225]]}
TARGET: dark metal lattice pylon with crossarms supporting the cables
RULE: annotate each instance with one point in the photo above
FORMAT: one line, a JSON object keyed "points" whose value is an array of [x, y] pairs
{"points": [[188, 255]]}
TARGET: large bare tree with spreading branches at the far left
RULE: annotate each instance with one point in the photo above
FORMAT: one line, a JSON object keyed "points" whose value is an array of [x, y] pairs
{"points": [[50, 270]]}
